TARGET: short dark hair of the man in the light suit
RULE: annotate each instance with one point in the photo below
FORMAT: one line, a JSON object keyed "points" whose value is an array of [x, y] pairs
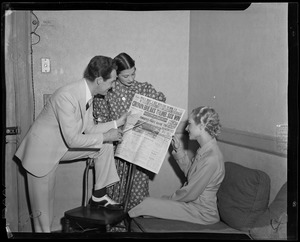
{"points": [[99, 66]]}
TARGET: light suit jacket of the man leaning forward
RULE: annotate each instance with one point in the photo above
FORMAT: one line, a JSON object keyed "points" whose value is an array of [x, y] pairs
{"points": [[58, 128]]}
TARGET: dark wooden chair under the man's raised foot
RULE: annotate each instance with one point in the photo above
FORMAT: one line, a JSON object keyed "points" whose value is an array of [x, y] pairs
{"points": [[85, 218]]}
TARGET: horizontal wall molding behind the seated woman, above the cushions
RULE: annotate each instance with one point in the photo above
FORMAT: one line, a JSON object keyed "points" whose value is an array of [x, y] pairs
{"points": [[259, 142]]}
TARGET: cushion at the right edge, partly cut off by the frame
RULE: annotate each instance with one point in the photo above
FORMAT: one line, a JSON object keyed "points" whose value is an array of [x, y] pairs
{"points": [[272, 224]]}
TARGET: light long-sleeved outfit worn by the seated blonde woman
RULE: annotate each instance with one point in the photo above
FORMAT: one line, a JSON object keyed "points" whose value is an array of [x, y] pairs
{"points": [[196, 200]]}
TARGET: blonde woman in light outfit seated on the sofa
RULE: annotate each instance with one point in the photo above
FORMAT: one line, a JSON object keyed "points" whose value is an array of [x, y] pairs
{"points": [[196, 200]]}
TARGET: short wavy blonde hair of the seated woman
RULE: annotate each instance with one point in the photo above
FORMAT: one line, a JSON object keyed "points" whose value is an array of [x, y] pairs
{"points": [[209, 118]]}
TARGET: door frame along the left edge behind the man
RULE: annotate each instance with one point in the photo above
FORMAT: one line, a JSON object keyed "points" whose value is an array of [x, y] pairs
{"points": [[19, 113]]}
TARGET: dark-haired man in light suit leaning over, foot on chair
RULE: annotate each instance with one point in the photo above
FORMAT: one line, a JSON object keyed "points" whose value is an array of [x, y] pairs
{"points": [[65, 130]]}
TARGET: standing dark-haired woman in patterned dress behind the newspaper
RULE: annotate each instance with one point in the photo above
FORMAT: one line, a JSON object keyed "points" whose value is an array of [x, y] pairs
{"points": [[113, 106]]}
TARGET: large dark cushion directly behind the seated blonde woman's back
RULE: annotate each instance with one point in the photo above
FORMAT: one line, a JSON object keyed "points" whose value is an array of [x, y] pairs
{"points": [[243, 196]]}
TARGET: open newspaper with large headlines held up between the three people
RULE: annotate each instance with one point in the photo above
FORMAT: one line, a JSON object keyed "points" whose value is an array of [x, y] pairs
{"points": [[148, 132]]}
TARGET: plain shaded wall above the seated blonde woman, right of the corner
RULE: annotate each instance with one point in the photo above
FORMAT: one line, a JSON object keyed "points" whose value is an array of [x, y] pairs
{"points": [[239, 65]]}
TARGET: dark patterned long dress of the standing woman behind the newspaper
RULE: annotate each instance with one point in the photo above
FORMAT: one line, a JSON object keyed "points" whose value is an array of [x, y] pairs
{"points": [[111, 107]]}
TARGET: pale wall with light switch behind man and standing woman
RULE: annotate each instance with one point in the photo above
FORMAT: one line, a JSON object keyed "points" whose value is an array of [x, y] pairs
{"points": [[157, 40]]}
